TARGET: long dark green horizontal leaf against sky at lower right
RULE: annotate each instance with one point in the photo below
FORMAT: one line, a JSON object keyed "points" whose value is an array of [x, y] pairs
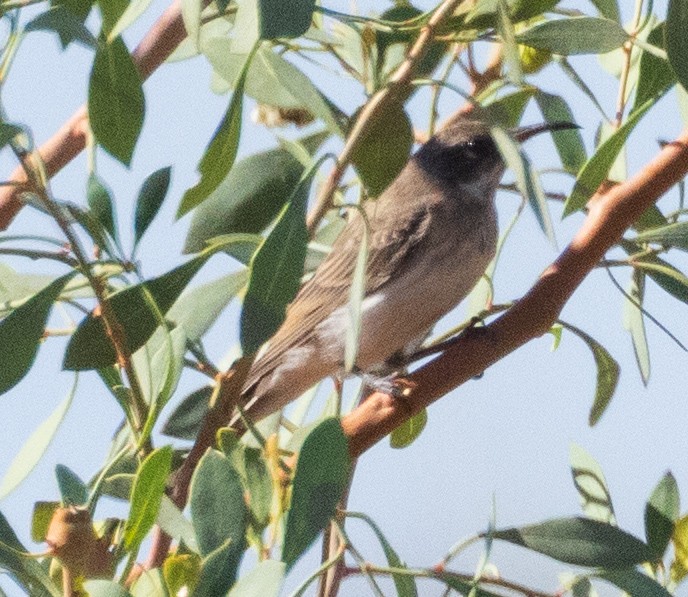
{"points": [[580, 542]]}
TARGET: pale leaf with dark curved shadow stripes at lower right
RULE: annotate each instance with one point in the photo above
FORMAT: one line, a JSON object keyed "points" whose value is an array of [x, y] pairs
{"points": [[591, 486]]}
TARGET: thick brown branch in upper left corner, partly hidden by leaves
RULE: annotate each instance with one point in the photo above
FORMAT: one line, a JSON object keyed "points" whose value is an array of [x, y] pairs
{"points": [[160, 41]]}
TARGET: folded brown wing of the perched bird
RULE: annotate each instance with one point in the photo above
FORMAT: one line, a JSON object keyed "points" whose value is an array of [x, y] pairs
{"points": [[328, 289]]}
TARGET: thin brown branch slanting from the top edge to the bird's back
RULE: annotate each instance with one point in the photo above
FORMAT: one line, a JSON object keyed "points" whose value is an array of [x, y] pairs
{"points": [[396, 90]]}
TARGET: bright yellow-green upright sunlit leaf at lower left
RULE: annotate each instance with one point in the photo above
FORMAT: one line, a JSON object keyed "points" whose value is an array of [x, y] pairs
{"points": [[149, 486]]}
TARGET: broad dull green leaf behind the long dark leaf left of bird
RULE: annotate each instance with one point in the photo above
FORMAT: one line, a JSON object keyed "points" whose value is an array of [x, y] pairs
{"points": [[251, 196]]}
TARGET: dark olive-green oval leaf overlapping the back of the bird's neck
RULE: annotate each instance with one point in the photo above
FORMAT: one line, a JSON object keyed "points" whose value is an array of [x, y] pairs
{"points": [[384, 148]]}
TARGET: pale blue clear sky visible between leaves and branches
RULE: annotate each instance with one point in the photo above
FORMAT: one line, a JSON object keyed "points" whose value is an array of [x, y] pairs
{"points": [[503, 437]]}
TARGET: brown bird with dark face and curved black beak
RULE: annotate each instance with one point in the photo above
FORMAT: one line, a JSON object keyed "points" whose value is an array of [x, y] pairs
{"points": [[431, 235]]}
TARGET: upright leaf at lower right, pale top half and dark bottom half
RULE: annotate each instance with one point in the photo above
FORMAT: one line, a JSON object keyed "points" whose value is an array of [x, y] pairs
{"points": [[661, 513]]}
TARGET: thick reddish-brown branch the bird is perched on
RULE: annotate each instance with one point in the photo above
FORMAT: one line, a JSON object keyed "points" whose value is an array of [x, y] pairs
{"points": [[610, 214]]}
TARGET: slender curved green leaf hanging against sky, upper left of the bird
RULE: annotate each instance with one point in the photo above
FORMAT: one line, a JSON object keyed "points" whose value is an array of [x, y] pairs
{"points": [[221, 152]]}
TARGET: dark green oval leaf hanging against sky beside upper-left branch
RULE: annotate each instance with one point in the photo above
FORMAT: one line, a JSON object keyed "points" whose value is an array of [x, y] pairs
{"points": [[116, 104]]}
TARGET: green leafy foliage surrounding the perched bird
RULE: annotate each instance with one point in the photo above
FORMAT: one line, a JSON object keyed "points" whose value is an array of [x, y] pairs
{"points": [[274, 492]]}
